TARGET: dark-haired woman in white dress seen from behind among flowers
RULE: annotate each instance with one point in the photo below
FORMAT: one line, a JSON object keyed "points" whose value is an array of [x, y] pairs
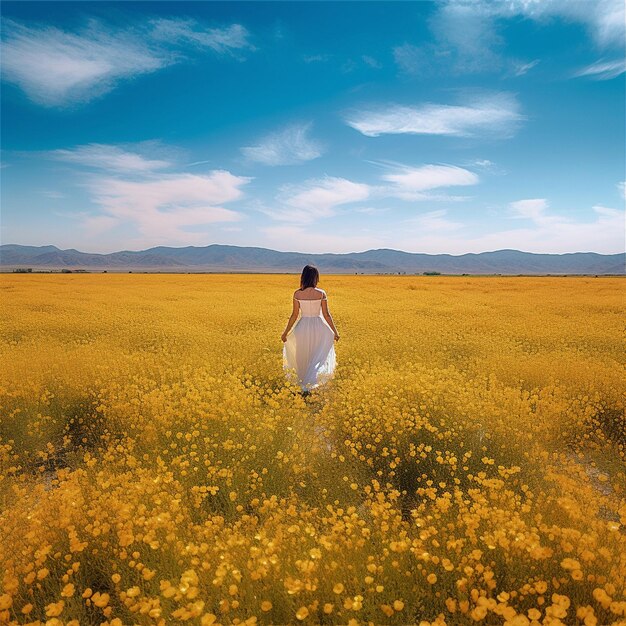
{"points": [[309, 349]]}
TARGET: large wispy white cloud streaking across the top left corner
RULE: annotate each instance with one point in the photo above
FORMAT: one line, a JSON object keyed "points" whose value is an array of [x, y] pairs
{"points": [[57, 68]]}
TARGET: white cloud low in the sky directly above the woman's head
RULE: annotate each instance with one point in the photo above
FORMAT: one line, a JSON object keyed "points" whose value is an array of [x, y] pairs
{"points": [[316, 198]]}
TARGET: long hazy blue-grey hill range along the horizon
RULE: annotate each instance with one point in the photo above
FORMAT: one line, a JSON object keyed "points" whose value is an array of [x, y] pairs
{"points": [[219, 258]]}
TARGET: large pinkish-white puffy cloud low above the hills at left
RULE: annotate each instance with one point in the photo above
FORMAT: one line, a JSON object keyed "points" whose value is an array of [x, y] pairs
{"points": [[160, 209]]}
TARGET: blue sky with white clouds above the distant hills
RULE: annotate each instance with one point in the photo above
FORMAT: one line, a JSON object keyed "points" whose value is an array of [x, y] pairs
{"points": [[441, 127]]}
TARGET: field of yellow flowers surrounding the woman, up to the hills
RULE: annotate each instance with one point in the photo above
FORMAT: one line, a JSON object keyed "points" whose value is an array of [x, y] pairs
{"points": [[466, 465]]}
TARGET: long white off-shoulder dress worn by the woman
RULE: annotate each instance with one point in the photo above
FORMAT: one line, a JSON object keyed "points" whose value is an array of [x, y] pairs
{"points": [[309, 352]]}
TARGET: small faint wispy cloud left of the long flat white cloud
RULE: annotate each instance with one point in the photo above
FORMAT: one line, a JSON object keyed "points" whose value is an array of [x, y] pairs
{"points": [[288, 146]]}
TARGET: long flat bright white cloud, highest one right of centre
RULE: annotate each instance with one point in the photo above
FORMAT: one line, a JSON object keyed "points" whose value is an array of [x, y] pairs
{"points": [[491, 114]]}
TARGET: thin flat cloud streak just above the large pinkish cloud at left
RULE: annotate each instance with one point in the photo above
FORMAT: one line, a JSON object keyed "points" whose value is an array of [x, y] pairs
{"points": [[109, 157]]}
